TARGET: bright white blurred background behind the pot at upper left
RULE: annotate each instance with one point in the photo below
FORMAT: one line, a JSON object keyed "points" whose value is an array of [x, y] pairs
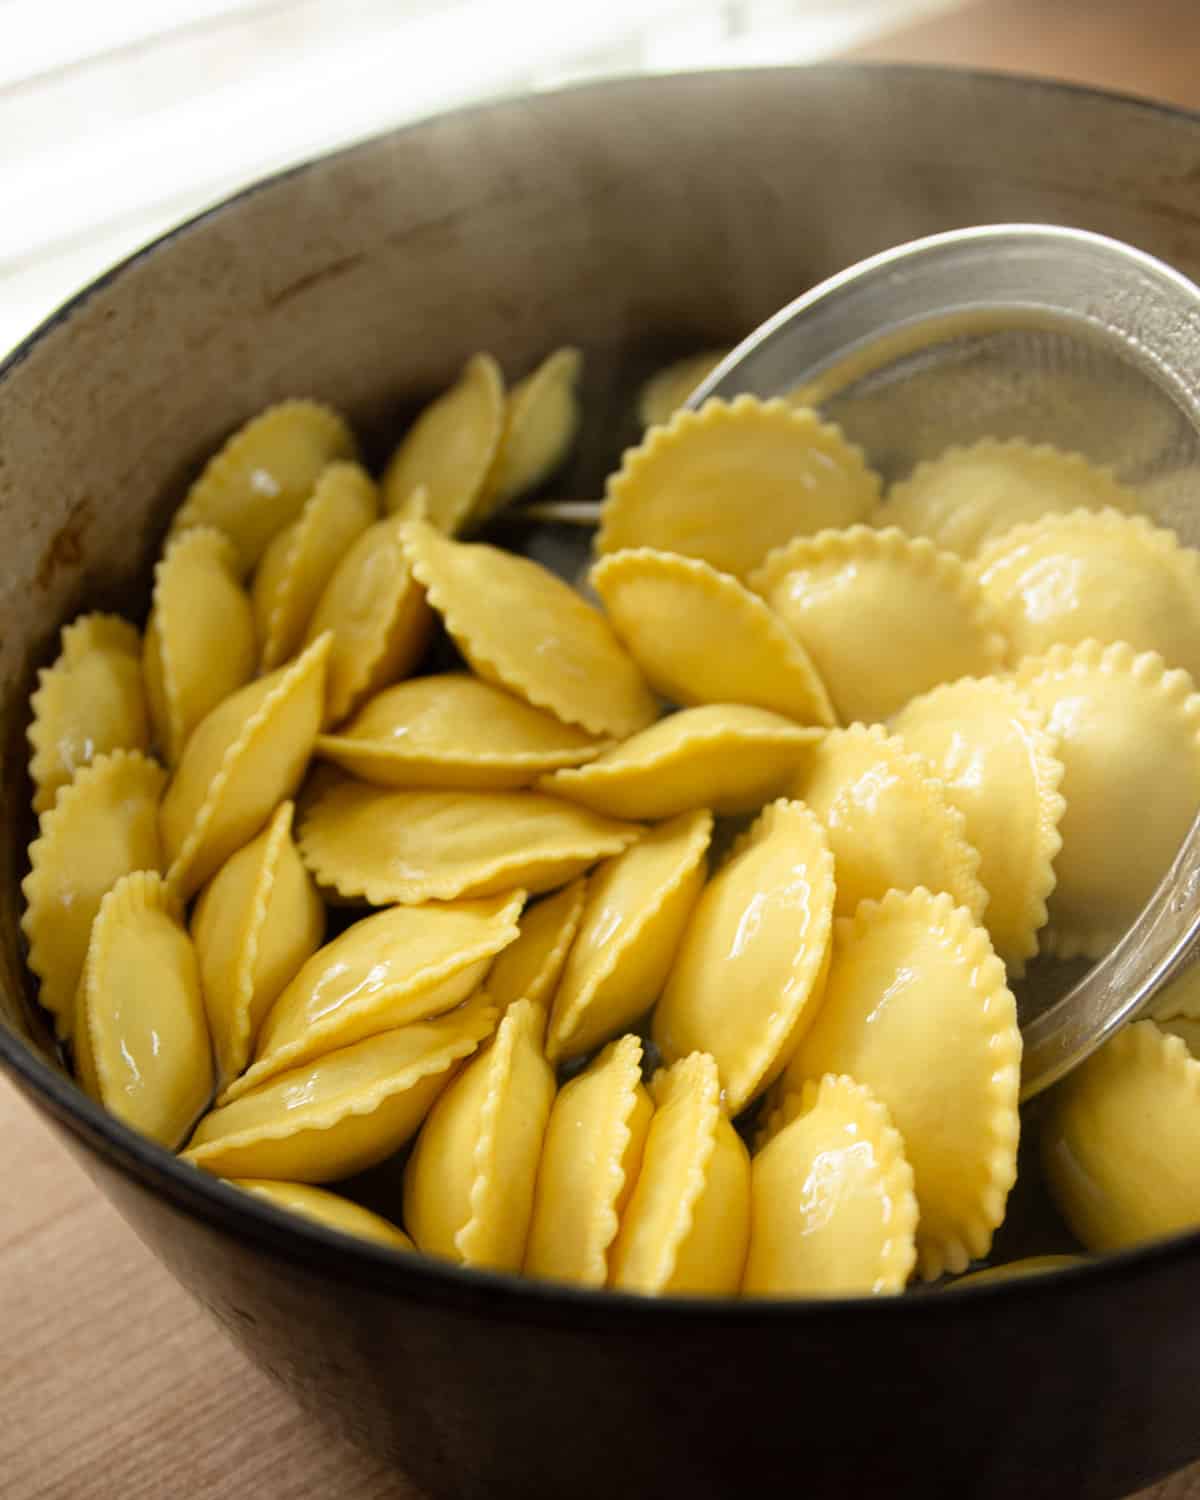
{"points": [[121, 118]]}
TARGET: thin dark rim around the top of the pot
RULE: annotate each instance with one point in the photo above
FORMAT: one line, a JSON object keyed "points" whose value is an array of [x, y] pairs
{"points": [[377, 1268]]}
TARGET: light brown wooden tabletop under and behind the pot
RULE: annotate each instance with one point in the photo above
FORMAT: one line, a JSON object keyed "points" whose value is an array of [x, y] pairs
{"points": [[113, 1384]]}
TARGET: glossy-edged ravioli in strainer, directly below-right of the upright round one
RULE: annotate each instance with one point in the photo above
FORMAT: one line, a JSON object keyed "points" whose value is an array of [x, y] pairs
{"points": [[883, 617]]}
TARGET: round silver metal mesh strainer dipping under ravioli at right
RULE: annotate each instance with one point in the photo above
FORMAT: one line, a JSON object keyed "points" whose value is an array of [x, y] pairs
{"points": [[1018, 331]]}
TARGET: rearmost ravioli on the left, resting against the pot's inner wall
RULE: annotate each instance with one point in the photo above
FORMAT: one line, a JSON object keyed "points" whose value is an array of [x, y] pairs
{"points": [[262, 478]]}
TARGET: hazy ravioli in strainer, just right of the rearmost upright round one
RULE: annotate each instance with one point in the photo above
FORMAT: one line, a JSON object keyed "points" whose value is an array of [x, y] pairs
{"points": [[970, 496]]}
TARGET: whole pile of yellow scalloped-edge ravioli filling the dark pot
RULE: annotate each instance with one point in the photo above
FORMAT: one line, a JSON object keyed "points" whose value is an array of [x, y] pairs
{"points": [[664, 944]]}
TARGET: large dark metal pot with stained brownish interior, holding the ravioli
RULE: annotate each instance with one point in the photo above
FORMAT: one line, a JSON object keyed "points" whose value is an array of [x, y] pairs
{"points": [[635, 220]]}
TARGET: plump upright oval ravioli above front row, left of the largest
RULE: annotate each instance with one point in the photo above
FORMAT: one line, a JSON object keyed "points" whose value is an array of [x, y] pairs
{"points": [[752, 961]]}
